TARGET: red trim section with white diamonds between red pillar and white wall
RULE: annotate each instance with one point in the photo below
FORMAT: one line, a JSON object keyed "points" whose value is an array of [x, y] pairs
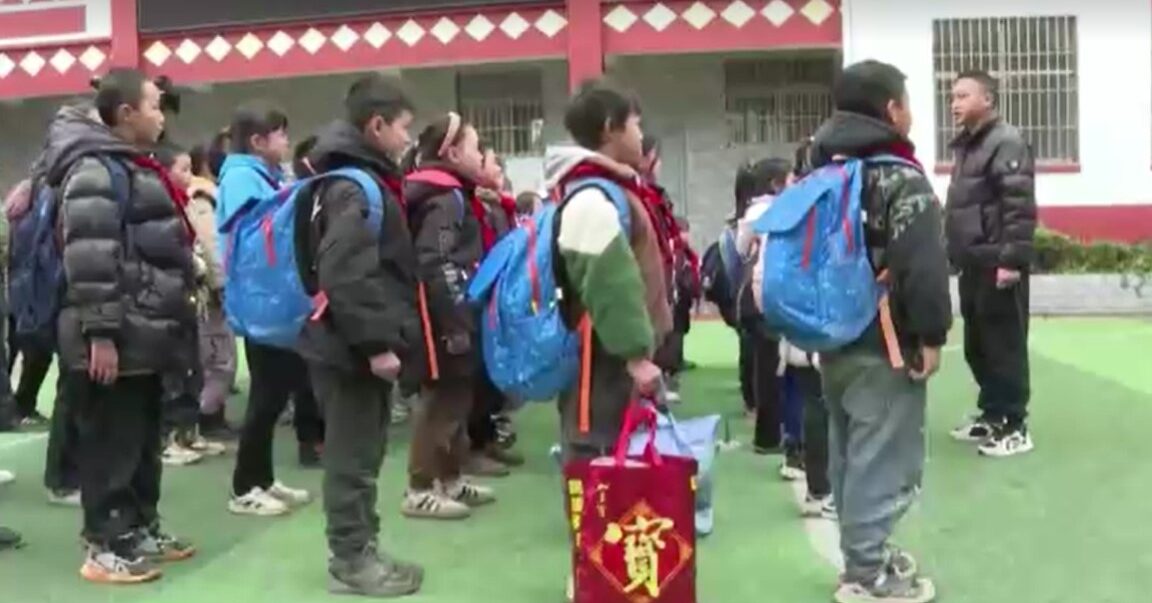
{"points": [[639, 27]]}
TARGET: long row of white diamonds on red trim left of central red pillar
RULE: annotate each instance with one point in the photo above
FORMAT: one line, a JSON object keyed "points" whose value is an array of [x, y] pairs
{"points": [[410, 34]]}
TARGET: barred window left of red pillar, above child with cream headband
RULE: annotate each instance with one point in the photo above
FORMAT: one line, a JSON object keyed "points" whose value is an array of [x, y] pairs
{"points": [[507, 108]]}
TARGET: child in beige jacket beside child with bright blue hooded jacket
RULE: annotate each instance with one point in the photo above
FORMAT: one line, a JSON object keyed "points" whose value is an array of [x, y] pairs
{"points": [[218, 343]]}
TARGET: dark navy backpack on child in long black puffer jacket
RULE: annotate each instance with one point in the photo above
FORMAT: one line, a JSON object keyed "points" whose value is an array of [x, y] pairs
{"points": [[36, 263]]}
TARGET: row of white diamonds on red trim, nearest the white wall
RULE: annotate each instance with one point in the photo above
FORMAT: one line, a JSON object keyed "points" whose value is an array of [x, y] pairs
{"points": [[739, 14]]}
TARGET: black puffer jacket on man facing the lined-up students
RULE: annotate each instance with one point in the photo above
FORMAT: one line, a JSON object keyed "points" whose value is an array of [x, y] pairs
{"points": [[991, 213]]}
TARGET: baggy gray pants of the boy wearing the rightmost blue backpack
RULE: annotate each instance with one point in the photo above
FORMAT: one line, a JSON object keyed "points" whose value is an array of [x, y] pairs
{"points": [[876, 454]]}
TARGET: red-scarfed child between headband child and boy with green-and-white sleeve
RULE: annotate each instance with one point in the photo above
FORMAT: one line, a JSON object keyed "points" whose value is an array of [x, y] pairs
{"points": [[489, 458]]}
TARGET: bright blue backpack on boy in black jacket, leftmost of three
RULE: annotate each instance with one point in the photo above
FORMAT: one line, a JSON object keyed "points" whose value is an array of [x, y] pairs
{"points": [[266, 299]]}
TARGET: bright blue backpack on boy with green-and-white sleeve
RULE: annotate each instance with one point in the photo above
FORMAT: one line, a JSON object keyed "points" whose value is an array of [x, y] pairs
{"points": [[529, 352]]}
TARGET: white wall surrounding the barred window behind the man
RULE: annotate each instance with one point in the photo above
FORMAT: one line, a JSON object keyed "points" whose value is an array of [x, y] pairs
{"points": [[1116, 84]]}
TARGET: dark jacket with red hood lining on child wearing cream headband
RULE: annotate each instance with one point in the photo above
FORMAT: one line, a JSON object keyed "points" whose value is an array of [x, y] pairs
{"points": [[449, 248]]}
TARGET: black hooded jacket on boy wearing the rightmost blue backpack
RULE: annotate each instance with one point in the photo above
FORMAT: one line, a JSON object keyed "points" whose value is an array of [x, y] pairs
{"points": [[904, 228]]}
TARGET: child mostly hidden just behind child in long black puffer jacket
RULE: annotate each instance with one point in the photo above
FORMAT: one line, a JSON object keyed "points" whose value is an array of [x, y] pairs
{"points": [[185, 444]]}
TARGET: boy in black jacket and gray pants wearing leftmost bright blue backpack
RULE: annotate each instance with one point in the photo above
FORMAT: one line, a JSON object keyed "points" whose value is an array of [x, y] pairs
{"points": [[368, 334]]}
